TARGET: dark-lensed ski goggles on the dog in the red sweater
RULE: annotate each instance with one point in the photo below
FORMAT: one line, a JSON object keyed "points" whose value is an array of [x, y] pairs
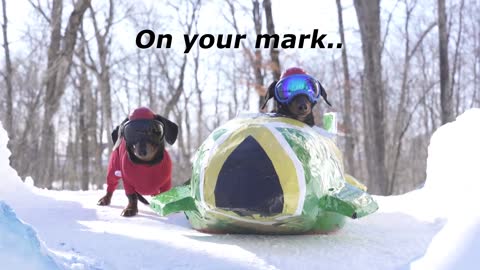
{"points": [[143, 130]]}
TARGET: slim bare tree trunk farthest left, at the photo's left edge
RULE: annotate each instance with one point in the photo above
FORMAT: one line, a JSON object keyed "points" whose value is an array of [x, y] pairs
{"points": [[8, 76]]}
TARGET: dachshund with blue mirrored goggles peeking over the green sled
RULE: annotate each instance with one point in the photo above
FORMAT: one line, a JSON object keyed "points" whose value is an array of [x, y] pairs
{"points": [[296, 94]]}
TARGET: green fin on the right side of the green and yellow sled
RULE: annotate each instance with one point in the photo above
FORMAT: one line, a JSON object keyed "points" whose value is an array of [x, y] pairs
{"points": [[348, 201]]}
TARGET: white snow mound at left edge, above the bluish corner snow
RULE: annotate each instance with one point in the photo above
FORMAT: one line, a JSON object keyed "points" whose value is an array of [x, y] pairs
{"points": [[12, 185]]}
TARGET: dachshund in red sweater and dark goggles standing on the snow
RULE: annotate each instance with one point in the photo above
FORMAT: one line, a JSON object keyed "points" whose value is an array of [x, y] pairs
{"points": [[139, 158]]}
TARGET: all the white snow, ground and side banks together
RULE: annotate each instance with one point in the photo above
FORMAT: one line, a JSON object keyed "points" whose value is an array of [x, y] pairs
{"points": [[437, 227]]}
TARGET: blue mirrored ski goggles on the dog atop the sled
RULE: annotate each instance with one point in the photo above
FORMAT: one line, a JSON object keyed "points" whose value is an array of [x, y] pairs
{"points": [[293, 85]]}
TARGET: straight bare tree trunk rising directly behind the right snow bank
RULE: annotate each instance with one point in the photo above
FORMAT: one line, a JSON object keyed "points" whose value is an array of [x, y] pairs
{"points": [[446, 95]]}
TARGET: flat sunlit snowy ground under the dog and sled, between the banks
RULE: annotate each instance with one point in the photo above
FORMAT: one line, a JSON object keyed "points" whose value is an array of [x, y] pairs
{"points": [[71, 223]]}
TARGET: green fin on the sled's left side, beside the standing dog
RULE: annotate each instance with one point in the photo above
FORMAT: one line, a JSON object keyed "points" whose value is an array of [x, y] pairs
{"points": [[175, 200]]}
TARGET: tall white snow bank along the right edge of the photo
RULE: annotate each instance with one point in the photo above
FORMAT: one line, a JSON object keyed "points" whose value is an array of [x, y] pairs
{"points": [[452, 188]]}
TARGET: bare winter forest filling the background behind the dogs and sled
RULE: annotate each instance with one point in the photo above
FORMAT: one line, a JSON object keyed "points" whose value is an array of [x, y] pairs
{"points": [[71, 72]]}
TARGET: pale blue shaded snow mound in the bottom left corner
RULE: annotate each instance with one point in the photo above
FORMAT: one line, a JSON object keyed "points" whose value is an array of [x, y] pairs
{"points": [[20, 247]]}
